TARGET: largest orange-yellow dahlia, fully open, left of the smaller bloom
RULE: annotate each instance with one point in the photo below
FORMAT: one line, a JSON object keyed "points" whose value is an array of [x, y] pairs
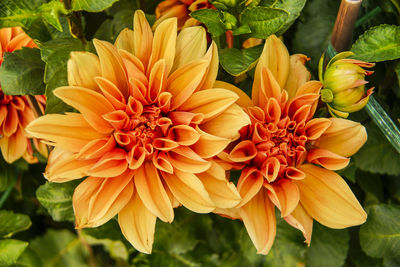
{"points": [[149, 122]]}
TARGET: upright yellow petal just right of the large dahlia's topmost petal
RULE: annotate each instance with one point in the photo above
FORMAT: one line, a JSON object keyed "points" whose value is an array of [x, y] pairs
{"points": [[164, 44]]}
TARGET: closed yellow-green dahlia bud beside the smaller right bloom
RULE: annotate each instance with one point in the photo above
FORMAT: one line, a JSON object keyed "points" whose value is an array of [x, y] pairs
{"points": [[344, 84]]}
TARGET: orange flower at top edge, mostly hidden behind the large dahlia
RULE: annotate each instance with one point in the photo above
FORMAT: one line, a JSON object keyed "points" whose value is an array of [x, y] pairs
{"points": [[181, 10]]}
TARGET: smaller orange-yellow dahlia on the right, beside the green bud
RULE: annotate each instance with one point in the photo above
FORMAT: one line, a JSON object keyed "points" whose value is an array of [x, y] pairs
{"points": [[287, 157]]}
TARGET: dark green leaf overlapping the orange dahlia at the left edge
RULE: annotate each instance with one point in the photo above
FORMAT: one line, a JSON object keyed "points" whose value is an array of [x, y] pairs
{"points": [[22, 72]]}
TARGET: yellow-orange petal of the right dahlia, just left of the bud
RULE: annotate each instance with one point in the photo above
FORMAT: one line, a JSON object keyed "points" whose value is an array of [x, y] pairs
{"points": [[298, 74]]}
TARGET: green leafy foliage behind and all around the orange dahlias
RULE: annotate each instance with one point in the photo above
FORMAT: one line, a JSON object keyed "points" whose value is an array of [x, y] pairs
{"points": [[36, 217]]}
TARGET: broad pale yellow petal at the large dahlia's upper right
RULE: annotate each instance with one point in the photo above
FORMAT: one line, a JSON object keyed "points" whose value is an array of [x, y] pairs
{"points": [[191, 44]]}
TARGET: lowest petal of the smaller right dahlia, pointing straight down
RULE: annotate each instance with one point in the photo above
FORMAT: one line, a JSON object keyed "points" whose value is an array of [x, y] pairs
{"points": [[258, 216]]}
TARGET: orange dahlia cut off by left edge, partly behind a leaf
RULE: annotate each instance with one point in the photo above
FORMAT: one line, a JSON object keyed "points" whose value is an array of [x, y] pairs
{"points": [[15, 111]]}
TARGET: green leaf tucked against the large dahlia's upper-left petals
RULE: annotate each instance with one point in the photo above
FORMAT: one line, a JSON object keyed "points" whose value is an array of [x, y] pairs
{"points": [[55, 54]]}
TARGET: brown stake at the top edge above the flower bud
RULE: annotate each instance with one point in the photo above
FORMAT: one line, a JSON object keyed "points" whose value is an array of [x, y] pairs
{"points": [[344, 25]]}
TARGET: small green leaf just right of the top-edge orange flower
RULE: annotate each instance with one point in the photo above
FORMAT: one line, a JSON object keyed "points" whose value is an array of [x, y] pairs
{"points": [[212, 19]]}
